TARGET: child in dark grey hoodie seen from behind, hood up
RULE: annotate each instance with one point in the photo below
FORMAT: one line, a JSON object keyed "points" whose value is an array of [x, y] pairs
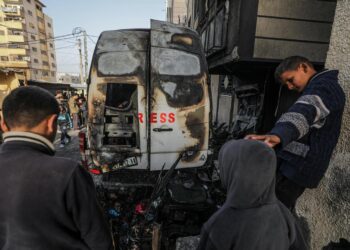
{"points": [[251, 217]]}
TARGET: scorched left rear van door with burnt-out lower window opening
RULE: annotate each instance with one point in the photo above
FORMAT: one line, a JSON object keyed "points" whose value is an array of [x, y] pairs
{"points": [[114, 132]]}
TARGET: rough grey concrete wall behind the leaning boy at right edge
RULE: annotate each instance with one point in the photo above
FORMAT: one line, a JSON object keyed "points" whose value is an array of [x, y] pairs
{"points": [[326, 210]]}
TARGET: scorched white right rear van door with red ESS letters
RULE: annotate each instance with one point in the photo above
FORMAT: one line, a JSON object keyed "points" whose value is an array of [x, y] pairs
{"points": [[179, 100]]}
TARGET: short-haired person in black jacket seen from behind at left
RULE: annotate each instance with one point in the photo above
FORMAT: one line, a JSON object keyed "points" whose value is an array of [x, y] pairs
{"points": [[46, 202]]}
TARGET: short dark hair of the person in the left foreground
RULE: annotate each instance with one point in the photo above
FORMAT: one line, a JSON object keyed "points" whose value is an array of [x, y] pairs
{"points": [[28, 106]]}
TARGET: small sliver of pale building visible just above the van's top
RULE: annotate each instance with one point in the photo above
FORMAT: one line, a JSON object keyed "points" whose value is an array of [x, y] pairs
{"points": [[177, 11]]}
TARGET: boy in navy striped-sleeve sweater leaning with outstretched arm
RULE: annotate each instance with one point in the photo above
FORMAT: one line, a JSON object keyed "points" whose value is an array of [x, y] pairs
{"points": [[306, 135]]}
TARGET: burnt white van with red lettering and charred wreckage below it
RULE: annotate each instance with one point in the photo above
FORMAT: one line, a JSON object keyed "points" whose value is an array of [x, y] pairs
{"points": [[147, 138]]}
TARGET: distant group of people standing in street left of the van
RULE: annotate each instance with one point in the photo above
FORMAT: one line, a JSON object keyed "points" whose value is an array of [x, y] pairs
{"points": [[73, 112]]}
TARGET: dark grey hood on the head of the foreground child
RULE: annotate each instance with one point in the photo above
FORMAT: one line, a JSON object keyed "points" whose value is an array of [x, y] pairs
{"points": [[247, 171]]}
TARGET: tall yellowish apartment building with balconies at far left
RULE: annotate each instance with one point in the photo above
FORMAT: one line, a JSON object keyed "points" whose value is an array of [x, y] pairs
{"points": [[27, 50]]}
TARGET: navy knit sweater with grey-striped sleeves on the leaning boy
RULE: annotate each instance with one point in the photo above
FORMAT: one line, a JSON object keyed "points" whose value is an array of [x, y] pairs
{"points": [[309, 130]]}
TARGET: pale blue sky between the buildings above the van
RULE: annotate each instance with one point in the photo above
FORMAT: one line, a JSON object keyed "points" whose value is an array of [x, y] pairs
{"points": [[95, 16]]}
